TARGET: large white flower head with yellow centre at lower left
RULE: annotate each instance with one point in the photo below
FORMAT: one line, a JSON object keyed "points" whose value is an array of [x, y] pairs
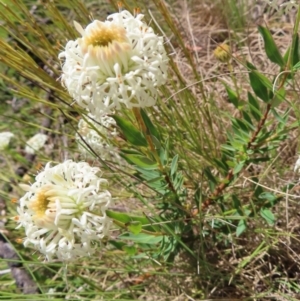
{"points": [[64, 211]]}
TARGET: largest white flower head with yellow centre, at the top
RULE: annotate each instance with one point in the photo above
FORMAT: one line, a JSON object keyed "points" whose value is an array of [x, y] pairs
{"points": [[118, 61]]}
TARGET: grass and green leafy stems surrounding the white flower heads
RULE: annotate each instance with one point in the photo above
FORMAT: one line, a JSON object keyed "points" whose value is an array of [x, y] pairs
{"points": [[216, 214]]}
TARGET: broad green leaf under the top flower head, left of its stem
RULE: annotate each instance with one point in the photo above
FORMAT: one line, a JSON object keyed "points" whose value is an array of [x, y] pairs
{"points": [[133, 135]]}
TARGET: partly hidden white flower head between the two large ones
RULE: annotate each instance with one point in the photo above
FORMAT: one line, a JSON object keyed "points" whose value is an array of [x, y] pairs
{"points": [[97, 135]]}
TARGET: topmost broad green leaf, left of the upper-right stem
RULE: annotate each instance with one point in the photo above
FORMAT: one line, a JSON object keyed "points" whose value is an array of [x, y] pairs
{"points": [[270, 47]]}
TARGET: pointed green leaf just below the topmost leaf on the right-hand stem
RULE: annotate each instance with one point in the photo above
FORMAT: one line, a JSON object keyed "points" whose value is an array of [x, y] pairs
{"points": [[258, 83]]}
